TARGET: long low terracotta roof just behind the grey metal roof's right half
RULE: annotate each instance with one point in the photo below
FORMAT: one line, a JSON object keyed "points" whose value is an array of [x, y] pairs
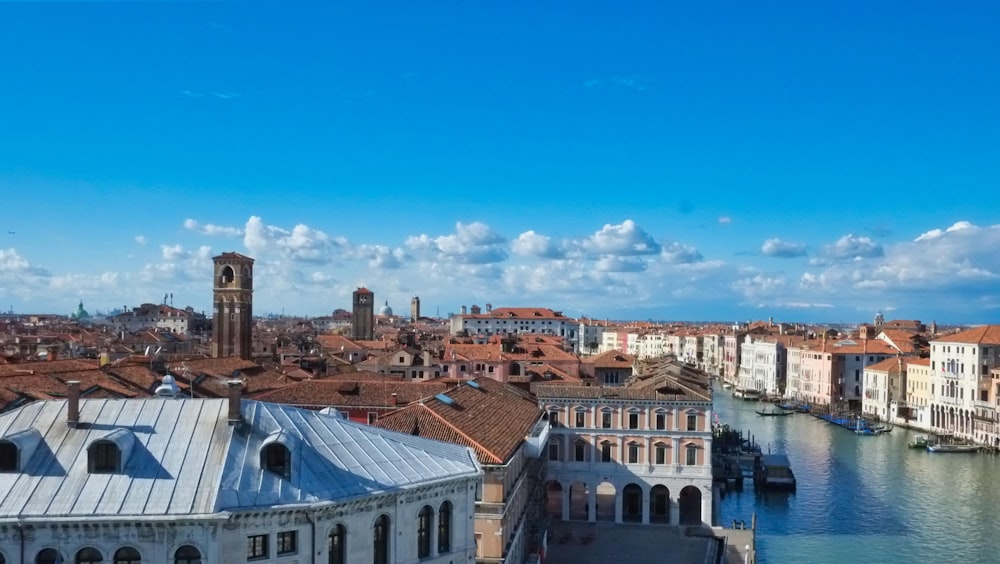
{"points": [[351, 393]]}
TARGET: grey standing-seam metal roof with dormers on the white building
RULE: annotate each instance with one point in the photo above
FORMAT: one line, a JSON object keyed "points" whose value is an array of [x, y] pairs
{"points": [[183, 458]]}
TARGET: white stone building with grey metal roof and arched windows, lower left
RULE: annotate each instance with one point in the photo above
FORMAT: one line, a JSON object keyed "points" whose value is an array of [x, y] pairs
{"points": [[188, 481]]}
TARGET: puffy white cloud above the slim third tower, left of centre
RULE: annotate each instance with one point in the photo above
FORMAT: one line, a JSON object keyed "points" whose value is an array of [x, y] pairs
{"points": [[471, 243]]}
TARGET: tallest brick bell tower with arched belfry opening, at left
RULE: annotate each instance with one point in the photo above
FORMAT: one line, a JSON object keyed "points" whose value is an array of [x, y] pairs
{"points": [[232, 306]]}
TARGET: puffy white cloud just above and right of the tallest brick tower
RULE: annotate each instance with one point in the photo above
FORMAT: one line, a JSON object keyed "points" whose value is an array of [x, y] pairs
{"points": [[302, 243]]}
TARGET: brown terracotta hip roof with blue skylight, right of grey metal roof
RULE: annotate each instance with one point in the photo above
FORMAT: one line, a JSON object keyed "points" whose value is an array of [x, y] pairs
{"points": [[491, 417]]}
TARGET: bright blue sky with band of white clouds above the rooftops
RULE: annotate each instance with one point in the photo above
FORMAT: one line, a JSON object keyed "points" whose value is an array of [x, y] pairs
{"points": [[699, 161]]}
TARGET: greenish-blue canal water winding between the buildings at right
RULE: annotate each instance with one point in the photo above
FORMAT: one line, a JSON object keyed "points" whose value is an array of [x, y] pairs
{"points": [[864, 498]]}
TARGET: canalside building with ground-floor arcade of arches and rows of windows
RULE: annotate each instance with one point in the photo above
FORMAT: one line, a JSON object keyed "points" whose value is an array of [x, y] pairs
{"points": [[639, 454]]}
